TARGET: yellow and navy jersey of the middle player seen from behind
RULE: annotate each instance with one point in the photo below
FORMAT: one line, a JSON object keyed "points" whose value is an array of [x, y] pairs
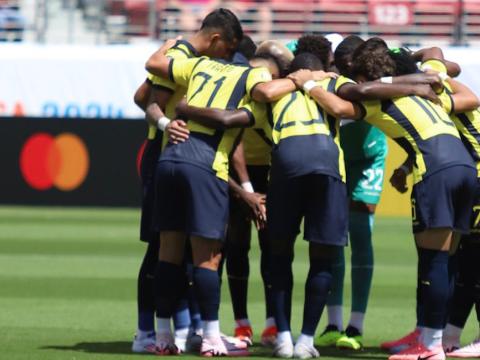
{"points": [[306, 139]]}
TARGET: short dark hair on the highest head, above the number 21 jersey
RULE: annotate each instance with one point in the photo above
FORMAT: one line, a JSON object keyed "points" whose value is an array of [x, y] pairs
{"points": [[225, 21]]}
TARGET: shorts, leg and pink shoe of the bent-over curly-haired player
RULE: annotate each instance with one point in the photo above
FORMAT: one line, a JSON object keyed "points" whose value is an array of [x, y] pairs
{"points": [[441, 203]]}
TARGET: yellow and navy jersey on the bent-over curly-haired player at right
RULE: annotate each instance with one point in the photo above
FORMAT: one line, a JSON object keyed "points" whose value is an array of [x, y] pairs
{"points": [[423, 129]]}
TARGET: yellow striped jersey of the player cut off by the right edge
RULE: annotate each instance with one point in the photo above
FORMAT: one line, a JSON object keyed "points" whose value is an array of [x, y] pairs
{"points": [[467, 123]]}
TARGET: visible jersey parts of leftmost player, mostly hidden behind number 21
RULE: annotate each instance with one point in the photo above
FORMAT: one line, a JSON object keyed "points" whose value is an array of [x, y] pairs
{"points": [[181, 50]]}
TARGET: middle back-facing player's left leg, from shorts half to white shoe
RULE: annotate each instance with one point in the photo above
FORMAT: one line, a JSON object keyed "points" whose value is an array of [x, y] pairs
{"points": [[284, 214]]}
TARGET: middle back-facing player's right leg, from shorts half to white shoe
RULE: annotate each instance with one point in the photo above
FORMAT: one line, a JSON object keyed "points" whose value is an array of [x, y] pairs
{"points": [[326, 219]]}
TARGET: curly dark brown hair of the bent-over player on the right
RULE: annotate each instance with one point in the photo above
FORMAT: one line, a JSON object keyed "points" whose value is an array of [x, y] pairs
{"points": [[372, 60]]}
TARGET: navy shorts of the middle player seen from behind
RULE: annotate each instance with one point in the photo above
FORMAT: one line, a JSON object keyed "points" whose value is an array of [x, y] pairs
{"points": [[321, 199]]}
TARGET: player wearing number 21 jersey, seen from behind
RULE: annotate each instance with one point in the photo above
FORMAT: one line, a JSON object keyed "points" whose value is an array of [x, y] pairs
{"points": [[192, 184]]}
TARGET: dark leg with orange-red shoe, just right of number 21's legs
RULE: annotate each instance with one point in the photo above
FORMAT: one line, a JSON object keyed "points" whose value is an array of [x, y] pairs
{"points": [[237, 264]]}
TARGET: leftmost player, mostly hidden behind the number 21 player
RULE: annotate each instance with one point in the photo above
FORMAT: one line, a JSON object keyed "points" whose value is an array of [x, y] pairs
{"points": [[161, 97]]}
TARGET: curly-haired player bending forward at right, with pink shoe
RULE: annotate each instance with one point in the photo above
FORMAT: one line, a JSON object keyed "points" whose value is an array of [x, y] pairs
{"points": [[442, 167]]}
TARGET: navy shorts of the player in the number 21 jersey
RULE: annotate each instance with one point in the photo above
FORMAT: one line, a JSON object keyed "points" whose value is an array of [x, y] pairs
{"points": [[190, 199]]}
